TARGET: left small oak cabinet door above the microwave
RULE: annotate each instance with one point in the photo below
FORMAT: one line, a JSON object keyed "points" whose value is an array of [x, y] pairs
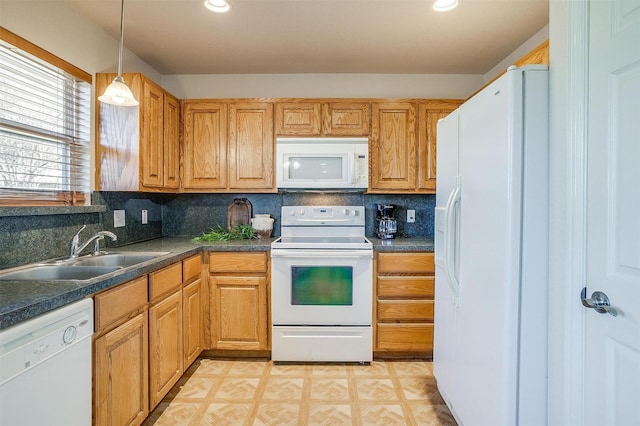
{"points": [[298, 118]]}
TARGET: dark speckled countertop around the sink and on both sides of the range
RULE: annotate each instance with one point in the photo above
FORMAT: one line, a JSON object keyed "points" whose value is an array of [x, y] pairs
{"points": [[22, 300]]}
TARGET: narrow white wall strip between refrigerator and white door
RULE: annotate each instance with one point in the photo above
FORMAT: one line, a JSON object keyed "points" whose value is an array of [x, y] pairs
{"points": [[564, 394]]}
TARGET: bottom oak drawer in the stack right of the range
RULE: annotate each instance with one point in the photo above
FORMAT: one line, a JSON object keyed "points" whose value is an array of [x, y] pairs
{"points": [[405, 337]]}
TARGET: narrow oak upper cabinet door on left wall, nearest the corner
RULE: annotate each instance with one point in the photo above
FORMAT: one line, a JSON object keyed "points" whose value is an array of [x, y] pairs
{"points": [[171, 142]]}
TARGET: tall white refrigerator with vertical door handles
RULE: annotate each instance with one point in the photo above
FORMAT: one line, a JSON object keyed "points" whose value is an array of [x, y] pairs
{"points": [[491, 251]]}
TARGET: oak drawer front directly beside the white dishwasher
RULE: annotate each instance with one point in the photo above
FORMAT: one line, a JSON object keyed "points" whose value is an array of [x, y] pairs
{"points": [[119, 302]]}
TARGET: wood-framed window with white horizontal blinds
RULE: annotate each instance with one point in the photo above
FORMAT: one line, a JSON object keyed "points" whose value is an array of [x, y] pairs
{"points": [[44, 126]]}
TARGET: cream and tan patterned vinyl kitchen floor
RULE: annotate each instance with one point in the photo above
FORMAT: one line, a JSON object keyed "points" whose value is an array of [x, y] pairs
{"points": [[240, 392]]}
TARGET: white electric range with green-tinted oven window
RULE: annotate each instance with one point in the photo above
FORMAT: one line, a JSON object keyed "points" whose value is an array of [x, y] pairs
{"points": [[322, 286]]}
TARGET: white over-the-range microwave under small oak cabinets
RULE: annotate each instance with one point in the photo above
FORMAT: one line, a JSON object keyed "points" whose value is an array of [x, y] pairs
{"points": [[322, 163]]}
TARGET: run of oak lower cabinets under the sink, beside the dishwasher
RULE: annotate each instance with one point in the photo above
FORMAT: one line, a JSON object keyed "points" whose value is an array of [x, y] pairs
{"points": [[147, 332]]}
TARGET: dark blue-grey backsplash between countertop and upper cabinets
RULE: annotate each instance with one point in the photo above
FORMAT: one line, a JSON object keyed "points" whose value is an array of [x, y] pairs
{"points": [[31, 238]]}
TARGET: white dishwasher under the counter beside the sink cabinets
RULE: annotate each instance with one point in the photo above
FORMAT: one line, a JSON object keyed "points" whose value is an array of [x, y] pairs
{"points": [[45, 369]]}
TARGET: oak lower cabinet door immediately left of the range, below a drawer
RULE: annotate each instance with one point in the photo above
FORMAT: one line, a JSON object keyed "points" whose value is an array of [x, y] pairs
{"points": [[238, 313]]}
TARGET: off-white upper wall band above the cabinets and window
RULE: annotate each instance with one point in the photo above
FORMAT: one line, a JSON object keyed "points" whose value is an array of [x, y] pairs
{"points": [[58, 28]]}
